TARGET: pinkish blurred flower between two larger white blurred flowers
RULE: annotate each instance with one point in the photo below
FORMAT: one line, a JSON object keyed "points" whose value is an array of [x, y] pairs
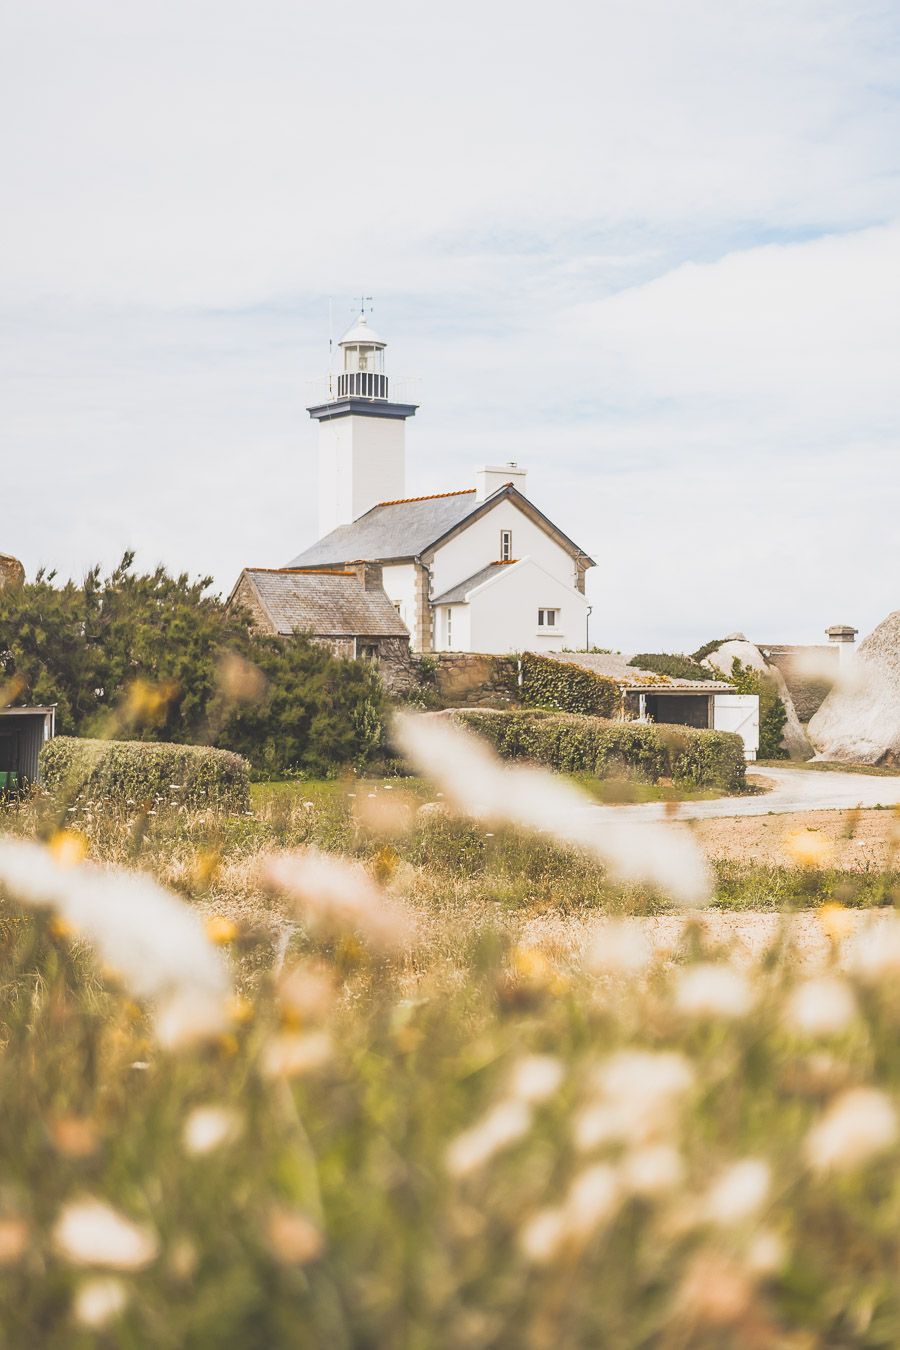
{"points": [[337, 896]]}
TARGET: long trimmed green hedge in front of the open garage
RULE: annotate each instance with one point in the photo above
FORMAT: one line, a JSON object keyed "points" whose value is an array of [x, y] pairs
{"points": [[575, 745]]}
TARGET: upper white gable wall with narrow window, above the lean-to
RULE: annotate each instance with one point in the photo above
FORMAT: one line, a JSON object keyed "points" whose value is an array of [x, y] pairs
{"points": [[480, 545]]}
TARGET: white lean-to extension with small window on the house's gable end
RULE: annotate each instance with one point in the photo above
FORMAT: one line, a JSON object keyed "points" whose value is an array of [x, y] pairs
{"points": [[503, 615]]}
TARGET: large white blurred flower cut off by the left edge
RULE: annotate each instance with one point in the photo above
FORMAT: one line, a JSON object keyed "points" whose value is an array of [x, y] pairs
{"points": [[150, 939]]}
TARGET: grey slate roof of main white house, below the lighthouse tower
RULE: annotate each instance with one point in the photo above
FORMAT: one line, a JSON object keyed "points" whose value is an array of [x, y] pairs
{"points": [[391, 530]]}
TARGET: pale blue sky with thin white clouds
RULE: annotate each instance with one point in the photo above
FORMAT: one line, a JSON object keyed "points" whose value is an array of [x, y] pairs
{"points": [[648, 250]]}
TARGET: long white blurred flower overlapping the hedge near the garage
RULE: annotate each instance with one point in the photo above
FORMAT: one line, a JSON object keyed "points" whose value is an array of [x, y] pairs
{"points": [[531, 799]]}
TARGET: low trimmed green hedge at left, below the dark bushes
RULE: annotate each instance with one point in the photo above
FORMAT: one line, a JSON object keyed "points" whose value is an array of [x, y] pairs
{"points": [[142, 773]]}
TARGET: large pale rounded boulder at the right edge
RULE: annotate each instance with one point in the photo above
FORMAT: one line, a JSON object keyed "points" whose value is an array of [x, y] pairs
{"points": [[860, 720]]}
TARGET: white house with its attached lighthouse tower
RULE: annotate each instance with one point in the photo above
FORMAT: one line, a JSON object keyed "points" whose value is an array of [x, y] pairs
{"points": [[480, 570]]}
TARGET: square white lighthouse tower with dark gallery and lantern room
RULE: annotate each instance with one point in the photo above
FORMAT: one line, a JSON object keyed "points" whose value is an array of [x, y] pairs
{"points": [[362, 434]]}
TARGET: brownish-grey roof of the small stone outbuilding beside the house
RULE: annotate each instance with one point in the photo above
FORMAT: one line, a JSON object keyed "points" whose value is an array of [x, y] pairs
{"points": [[325, 604]]}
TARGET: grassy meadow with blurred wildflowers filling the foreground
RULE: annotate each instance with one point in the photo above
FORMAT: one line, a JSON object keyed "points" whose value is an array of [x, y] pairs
{"points": [[357, 1070]]}
